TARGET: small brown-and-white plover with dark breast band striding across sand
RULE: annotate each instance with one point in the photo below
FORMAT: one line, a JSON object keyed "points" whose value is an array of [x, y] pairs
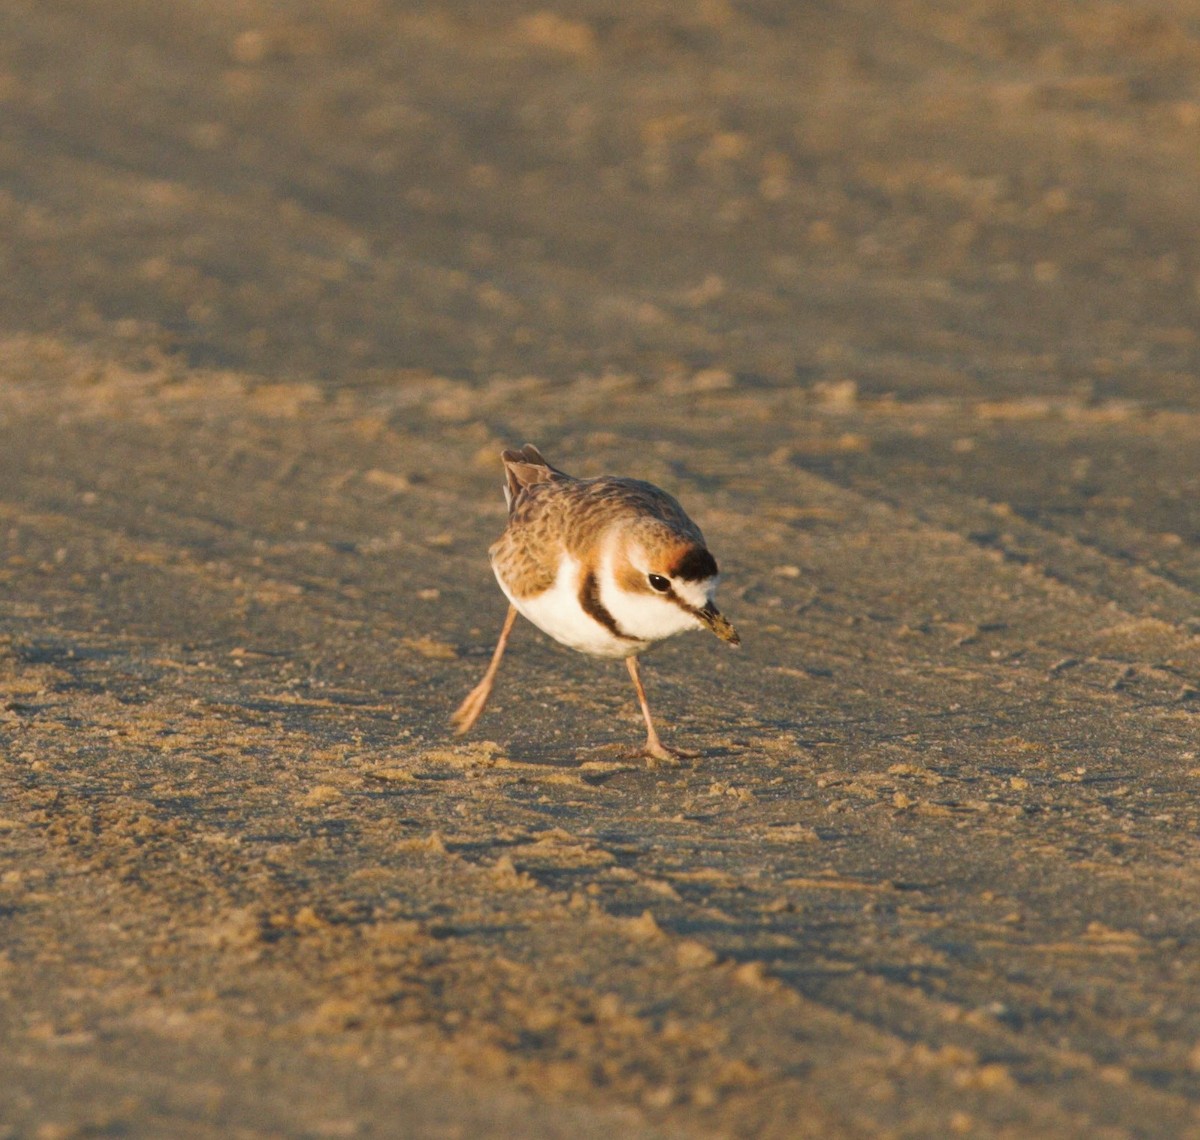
{"points": [[608, 567]]}
